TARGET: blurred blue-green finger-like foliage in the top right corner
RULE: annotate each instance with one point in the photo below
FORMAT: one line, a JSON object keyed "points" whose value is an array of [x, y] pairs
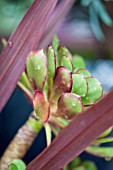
{"points": [[97, 11]]}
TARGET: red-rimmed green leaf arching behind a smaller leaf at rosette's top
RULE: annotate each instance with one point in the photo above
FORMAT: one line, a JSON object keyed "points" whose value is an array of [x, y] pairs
{"points": [[64, 51]]}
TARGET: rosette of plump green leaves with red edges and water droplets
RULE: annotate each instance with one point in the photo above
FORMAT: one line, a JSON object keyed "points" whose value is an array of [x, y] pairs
{"points": [[62, 86]]}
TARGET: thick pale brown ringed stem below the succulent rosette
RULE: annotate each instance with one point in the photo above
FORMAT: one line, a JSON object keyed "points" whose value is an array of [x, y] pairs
{"points": [[21, 142]]}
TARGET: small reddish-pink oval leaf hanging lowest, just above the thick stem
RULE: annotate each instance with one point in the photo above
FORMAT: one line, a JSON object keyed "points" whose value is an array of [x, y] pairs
{"points": [[41, 106]]}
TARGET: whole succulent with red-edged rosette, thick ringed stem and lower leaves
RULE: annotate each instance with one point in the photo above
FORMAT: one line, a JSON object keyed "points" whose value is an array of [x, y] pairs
{"points": [[60, 87]]}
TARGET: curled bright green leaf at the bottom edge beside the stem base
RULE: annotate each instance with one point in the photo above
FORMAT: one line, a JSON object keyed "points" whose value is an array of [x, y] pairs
{"points": [[17, 164]]}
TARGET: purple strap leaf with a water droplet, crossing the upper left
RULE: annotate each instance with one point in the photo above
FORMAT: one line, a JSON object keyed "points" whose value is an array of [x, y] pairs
{"points": [[25, 38]]}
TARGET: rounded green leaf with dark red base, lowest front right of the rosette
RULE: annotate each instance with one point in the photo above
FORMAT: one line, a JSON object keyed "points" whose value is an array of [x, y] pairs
{"points": [[69, 105]]}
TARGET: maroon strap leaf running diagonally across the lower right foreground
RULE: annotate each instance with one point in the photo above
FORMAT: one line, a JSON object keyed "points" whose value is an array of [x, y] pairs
{"points": [[80, 133]]}
